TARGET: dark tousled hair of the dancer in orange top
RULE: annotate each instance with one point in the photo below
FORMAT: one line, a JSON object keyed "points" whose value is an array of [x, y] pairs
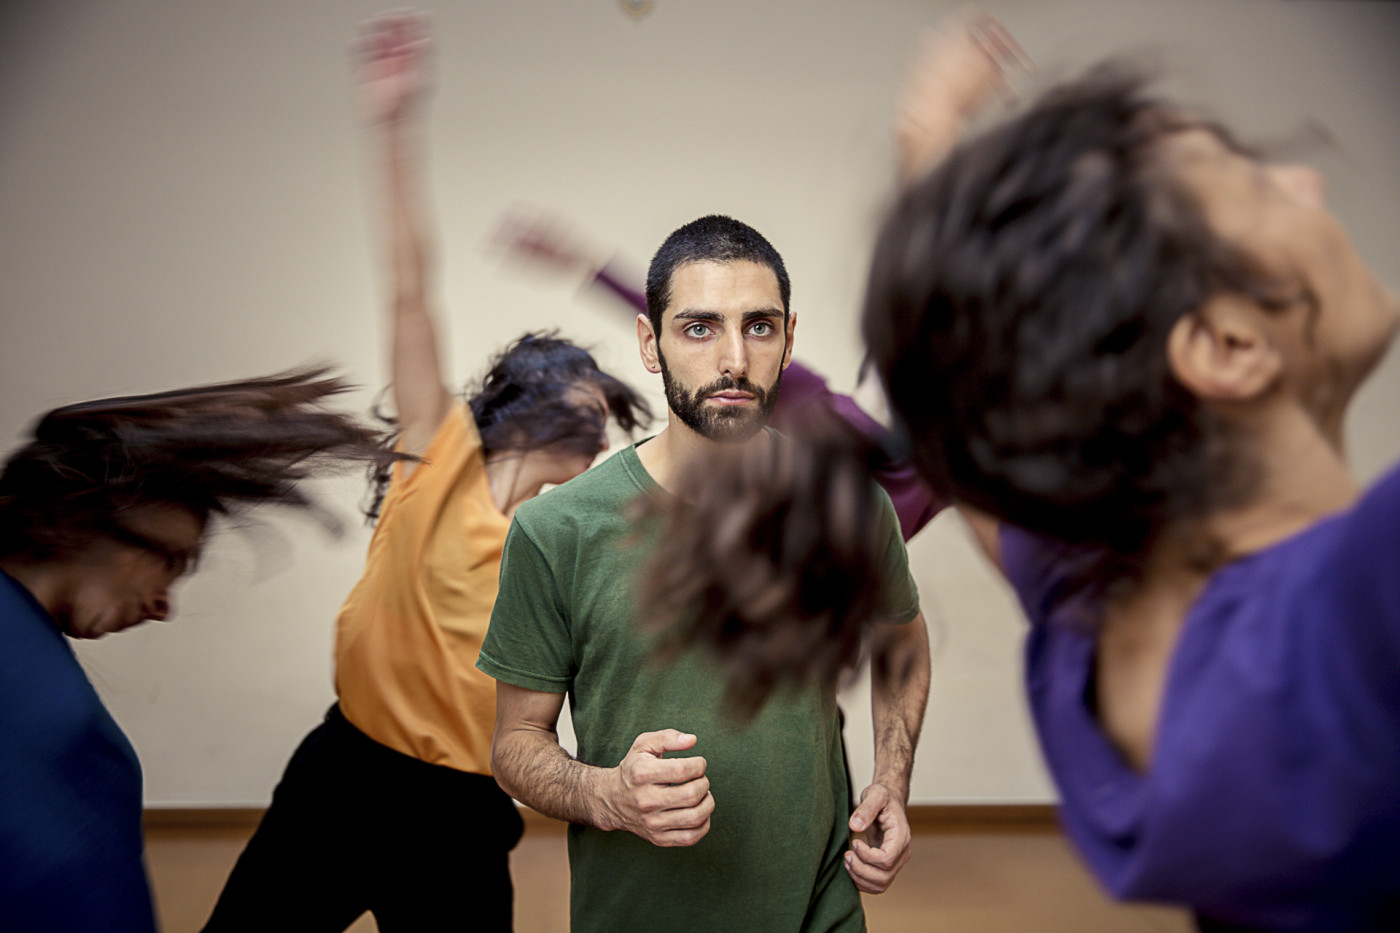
{"points": [[523, 404]]}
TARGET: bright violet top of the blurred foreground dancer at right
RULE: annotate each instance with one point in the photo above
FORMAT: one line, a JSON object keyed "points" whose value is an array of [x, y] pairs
{"points": [[1273, 799]]}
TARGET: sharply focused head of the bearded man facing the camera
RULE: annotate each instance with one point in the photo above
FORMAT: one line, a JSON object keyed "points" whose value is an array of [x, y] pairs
{"points": [[719, 330]]}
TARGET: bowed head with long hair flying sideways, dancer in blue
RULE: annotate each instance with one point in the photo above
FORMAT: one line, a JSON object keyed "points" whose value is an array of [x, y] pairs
{"points": [[110, 501]]}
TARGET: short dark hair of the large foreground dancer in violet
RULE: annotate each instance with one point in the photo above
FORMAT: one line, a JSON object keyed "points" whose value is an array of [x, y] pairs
{"points": [[1018, 312]]}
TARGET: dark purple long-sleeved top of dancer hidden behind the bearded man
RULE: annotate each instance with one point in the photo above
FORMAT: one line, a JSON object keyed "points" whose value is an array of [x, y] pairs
{"points": [[806, 396]]}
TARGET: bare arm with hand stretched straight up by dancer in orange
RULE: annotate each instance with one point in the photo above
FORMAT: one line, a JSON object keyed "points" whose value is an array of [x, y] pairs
{"points": [[393, 55]]}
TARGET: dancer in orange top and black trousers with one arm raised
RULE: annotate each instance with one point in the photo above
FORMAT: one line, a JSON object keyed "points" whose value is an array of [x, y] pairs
{"points": [[390, 805]]}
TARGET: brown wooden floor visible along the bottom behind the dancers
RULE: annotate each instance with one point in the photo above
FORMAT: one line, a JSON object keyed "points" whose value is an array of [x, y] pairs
{"points": [[962, 879]]}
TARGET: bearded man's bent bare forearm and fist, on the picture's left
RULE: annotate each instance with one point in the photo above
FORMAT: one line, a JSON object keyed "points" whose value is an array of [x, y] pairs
{"points": [[664, 801]]}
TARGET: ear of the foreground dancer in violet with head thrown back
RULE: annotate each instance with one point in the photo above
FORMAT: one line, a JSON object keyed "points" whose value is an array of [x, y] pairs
{"points": [[1226, 351]]}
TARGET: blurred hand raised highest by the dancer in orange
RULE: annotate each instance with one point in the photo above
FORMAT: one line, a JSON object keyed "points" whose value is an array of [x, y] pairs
{"points": [[391, 57]]}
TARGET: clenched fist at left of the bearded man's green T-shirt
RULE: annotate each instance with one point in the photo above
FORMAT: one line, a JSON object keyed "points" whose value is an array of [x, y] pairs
{"points": [[664, 801]]}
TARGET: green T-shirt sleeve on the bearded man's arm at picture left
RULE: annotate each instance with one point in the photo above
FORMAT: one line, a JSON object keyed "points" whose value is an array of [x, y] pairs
{"points": [[528, 642]]}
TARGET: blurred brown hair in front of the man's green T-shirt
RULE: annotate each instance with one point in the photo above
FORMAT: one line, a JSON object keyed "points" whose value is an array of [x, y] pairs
{"points": [[773, 562]]}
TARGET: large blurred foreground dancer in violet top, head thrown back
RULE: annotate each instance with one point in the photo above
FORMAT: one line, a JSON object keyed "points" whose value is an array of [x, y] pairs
{"points": [[1115, 333]]}
